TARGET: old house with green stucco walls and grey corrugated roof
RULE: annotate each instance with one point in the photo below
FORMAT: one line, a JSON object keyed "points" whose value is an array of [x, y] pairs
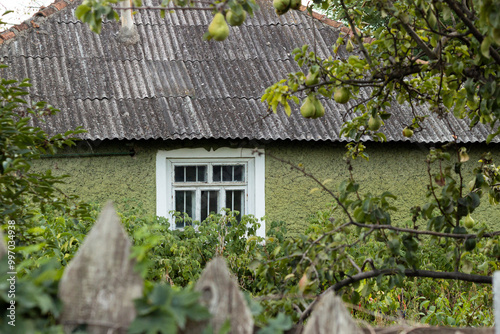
{"points": [[173, 120]]}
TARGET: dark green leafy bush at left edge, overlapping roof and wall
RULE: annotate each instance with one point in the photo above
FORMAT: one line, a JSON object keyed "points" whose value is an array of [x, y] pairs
{"points": [[20, 144]]}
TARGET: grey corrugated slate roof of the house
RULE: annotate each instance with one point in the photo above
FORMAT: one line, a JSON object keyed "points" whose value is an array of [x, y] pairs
{"points": [[174, 85]]}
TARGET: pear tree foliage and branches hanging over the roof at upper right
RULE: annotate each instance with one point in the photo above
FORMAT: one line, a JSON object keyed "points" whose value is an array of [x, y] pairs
{"points": [[443, 55]]}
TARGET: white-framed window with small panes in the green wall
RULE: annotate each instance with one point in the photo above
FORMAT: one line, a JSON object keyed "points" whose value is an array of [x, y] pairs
{"points": [[200, 182]]}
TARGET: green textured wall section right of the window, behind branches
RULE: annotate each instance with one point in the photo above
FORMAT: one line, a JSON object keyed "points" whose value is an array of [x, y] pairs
{"points": [[396, 167]]}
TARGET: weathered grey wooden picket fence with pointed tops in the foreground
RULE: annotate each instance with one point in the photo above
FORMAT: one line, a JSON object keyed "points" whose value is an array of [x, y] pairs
{"points": [[99, 285]]}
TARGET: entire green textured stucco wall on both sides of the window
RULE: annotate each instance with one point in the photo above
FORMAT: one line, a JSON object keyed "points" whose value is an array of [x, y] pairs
{"points": [[130, 181]]}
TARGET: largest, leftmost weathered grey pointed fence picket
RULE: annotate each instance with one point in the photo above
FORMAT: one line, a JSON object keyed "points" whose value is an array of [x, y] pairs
{"points": [[99, 285]]}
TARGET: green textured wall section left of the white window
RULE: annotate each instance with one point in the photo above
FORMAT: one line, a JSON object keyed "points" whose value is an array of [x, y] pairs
{"points": [[125, 180]]}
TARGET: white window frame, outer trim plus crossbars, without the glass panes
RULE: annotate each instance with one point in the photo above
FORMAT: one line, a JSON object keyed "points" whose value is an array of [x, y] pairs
{"points": [[254, 170]]}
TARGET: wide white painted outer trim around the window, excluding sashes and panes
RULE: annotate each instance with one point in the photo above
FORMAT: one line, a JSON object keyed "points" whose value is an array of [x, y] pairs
{"points": [[256, 177]]}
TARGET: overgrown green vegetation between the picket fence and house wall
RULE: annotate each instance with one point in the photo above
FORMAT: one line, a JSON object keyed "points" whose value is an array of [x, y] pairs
{"points": [[277, 287]]}
